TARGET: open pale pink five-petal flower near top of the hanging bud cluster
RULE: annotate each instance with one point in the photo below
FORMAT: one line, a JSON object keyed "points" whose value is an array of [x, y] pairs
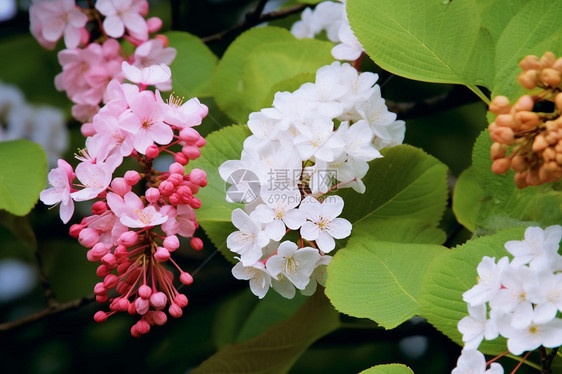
{"points": [[145, 122]]}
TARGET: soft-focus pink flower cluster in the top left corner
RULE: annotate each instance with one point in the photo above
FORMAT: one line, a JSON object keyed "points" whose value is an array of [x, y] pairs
{"points": [[88, 70]]}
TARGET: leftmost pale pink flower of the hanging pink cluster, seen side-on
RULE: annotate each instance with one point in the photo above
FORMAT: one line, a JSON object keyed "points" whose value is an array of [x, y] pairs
{"points": [[61, 179]]}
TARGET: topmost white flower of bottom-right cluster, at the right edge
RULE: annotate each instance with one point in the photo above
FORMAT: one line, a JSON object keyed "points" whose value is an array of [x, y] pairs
{"points": [[539, 249]]}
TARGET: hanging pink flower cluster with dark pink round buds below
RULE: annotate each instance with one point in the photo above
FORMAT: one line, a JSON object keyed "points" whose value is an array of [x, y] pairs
{"points": [[137, 218]]}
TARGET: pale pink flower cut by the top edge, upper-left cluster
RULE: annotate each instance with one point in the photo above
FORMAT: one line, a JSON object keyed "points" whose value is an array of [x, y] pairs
{"points": [[121, 15]]}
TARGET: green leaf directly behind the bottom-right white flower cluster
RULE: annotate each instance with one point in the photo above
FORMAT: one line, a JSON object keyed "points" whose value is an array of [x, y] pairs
{"points": [[452, 274]]}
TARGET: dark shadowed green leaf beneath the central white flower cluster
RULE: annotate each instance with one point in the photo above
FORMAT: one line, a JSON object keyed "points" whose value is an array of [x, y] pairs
{"points": [[244, 316]]}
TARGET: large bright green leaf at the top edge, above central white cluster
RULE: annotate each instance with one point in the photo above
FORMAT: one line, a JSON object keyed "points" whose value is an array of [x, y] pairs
{"points": [[426, 40]]}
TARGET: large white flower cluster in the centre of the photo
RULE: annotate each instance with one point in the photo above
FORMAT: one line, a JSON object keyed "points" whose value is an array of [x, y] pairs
{"points": [[310, 142]]}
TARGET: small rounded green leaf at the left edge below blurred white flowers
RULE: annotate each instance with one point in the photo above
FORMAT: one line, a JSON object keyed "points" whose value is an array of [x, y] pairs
{"points": [[23, 173]]}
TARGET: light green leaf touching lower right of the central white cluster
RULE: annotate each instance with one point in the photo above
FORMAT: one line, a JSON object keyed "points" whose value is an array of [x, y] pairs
{"points": [[379, 280]]}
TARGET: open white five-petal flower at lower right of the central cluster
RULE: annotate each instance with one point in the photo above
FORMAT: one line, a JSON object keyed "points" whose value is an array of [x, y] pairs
{"points": [[322, 225]]}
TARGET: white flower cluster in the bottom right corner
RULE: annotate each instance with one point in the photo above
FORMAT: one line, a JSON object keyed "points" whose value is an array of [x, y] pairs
{"points": [[518, 299]]}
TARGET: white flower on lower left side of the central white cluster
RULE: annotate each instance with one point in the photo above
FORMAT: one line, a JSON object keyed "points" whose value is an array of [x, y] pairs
{"points": [[249, 241]]}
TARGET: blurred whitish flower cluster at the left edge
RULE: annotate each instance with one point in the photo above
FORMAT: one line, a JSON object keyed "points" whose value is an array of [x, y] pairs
{"points": [[44, 125]]}
